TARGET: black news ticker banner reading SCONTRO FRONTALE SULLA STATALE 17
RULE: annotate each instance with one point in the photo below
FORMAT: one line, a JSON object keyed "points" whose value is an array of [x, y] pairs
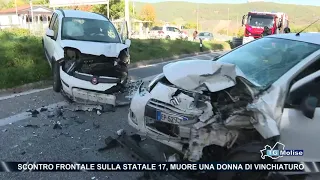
{"points": [[156, 166]]}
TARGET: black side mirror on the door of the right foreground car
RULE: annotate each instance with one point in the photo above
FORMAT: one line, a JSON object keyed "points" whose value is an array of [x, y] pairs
{"points": [[308, 106]]}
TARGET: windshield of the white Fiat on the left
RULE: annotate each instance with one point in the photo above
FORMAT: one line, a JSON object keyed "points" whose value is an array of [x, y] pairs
{"points": [[82, 29]]}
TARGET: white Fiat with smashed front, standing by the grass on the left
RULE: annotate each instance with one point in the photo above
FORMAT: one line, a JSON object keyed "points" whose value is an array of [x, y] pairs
{"points": [[88, 56]]}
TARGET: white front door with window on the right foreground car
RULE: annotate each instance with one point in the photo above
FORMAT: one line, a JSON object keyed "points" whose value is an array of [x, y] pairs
{"points": [[300, 122]]}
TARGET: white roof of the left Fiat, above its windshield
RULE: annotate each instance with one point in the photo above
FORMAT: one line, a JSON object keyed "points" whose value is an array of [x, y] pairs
{"points": [[81, 14]]}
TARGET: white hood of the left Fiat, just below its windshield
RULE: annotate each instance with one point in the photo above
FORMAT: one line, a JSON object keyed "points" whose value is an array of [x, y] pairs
{"points": [[95, 48]]}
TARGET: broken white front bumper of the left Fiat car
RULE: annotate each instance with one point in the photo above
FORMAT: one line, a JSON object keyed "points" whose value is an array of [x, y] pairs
{"points": [[81, 89]]}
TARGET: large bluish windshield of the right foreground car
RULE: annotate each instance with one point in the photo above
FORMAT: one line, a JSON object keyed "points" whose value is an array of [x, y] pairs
{"points": [[265, 60]]}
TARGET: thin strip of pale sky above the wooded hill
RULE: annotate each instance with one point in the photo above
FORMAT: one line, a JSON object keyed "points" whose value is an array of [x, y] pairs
{"points": [[300, 2]]}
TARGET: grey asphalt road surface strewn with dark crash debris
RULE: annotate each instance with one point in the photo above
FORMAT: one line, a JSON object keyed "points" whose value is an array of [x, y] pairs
{"points": [[77, 138]]}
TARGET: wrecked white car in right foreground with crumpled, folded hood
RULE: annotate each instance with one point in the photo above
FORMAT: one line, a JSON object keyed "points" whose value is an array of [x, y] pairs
{"points": [[230, 108]]}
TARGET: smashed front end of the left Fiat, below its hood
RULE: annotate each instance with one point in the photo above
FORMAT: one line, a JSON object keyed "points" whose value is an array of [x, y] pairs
{"points": [[93, 78]]}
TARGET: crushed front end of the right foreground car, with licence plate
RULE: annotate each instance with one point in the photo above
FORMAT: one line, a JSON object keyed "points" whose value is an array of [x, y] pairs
{"points": [[190, 120]]}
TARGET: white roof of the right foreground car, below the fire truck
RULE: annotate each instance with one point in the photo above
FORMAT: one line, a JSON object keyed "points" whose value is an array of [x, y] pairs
{"points": [[313, 38]]}
